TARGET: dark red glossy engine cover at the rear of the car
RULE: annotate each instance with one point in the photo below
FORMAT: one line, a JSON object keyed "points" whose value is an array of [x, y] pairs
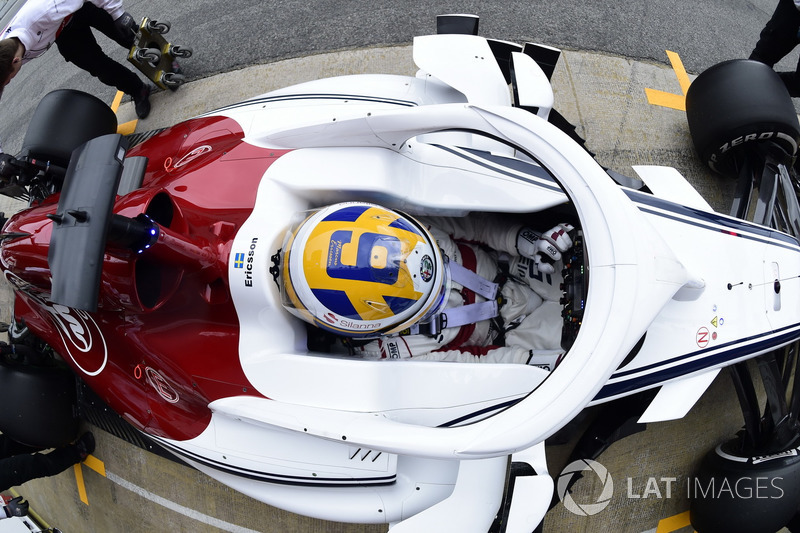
{"points": [[165, 339]]}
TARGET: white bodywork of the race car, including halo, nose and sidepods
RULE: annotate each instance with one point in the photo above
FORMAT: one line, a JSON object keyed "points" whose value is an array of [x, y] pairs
{"points": [[424, 446]]}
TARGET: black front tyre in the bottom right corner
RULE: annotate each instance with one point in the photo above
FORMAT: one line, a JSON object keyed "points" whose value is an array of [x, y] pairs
{"points": [[732, 493]]}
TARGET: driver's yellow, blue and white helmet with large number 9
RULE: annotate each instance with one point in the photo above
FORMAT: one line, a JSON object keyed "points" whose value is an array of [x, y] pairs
{"points": [[362, 270]]}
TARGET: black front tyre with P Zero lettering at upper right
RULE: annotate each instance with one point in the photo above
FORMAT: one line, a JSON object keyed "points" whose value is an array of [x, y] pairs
{"points": [[735, 105]]}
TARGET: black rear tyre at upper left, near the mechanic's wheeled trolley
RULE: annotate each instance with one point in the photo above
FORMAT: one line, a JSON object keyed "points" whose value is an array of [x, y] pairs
{"points": [[63, 120]]}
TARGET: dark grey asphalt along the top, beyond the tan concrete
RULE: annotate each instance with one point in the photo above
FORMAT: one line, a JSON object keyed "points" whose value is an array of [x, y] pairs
{"points": [[238, 34]]}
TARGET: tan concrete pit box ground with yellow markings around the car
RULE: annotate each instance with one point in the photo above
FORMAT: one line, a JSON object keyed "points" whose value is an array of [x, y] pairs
{"points": [[604, 95]]}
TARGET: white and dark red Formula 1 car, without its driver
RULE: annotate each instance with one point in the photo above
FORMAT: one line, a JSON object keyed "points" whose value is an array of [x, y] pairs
{"points": [[153, 272]]}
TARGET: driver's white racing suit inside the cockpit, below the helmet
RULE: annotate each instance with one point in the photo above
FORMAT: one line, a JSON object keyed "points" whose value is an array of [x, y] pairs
{"points": [[529, 315]]}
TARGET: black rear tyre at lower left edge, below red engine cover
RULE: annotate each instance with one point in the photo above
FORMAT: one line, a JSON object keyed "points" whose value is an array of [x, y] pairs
{"points": [[39, 405]]}
